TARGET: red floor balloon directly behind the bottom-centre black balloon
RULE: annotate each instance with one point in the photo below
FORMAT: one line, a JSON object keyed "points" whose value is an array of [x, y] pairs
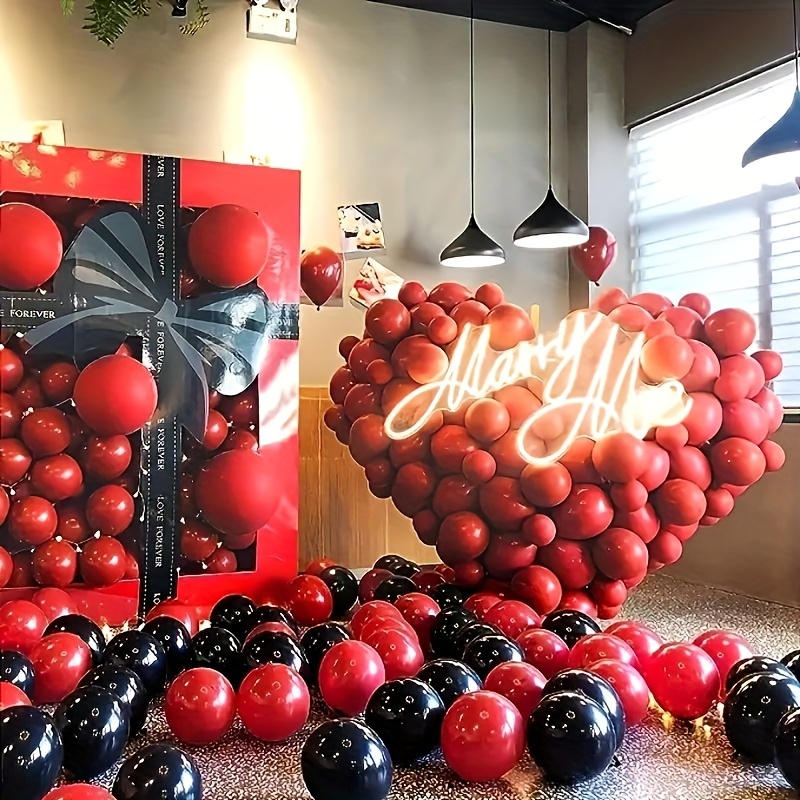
{"points": [[349, 674]]}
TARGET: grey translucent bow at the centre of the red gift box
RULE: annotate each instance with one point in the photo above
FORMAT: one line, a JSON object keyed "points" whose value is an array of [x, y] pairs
{"points": [[109, 282]]}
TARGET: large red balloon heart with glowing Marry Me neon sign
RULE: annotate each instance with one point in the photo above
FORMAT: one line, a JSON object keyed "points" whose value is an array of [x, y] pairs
{"points": [[565, 466]]}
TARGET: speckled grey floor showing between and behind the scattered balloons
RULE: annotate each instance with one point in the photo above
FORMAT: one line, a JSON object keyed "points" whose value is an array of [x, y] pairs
{"points": [[653, 764]]}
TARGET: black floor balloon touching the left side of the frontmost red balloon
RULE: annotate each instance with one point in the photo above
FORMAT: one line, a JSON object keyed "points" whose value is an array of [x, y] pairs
{"points": [[407, 714]]}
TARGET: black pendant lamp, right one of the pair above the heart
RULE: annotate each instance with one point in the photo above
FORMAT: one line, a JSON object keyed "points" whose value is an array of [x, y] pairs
{"points": [[552, 225]]}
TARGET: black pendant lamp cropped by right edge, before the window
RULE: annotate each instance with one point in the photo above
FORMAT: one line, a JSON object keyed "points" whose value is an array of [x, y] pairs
{"points": [[777, 151]]}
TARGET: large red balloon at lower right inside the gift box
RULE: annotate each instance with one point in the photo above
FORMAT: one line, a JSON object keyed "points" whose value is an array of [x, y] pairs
{"points": [[235, 491]]}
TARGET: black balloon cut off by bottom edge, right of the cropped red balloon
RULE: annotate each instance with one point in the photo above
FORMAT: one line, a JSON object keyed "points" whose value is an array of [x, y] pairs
{"points": [[156, 772]]}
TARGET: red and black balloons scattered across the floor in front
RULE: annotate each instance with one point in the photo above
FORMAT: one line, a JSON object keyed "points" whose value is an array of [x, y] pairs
{"points": [[480, 676]]}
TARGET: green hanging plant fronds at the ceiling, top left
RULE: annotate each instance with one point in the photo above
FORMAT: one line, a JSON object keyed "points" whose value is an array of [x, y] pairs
{"points": [[107, 20]]}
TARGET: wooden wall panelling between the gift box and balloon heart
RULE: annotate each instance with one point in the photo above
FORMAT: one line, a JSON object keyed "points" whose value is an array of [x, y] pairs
{"points": [[339, 518]]}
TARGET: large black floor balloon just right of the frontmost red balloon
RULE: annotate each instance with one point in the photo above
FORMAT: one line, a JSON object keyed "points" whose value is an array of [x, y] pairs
{"points": [[570, 737]]}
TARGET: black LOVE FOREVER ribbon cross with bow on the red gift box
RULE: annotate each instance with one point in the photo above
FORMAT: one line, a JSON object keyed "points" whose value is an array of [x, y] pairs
{"points": [[121, 277]]}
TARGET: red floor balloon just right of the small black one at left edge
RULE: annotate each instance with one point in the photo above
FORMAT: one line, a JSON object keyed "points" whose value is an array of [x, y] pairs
{"points": [[59, 661]]}
